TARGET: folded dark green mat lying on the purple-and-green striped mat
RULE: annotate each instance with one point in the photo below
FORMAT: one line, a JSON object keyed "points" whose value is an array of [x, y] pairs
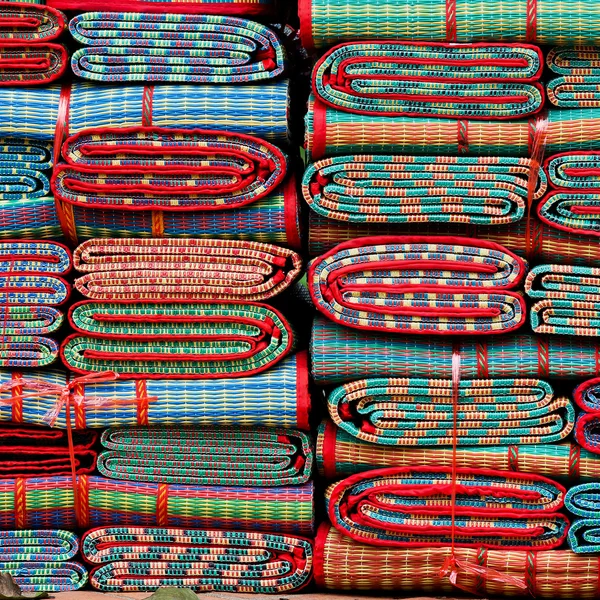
{"points": [[208, 456]]}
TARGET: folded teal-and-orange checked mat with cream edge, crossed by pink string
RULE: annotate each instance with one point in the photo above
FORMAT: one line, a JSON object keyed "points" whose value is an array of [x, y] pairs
{"points": [[420, 412]]}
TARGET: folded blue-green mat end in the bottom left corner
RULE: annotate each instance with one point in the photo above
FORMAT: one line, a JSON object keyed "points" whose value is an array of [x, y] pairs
{"points": [[40, 560]]}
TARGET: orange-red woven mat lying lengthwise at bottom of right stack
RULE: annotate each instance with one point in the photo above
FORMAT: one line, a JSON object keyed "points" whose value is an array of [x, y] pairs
{"points": [[343, 564]]}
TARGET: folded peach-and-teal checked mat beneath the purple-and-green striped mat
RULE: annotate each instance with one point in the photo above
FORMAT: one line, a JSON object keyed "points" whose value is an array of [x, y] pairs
{"points": [[140, 559]]}
